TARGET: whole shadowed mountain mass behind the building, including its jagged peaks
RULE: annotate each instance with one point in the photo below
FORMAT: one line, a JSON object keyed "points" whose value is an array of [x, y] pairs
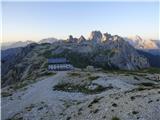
{"points": [[104, 51]]}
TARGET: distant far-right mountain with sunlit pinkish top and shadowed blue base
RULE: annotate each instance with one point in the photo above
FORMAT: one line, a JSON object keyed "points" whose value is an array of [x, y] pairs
{"points": [[148, 48]]}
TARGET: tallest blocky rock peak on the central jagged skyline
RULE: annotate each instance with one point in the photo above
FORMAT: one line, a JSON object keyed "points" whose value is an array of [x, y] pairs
{"points": [[96, 36]]}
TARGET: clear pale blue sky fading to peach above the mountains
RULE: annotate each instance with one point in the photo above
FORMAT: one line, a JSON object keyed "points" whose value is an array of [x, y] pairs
{"points": [[37, 20]]}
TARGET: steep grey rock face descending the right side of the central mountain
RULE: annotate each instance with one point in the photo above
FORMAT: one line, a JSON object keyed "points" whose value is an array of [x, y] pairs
{"points": [[126, 57]]}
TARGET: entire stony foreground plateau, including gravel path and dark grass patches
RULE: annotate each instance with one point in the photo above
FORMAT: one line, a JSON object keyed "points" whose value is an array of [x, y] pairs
{"points": [[85, 95]]}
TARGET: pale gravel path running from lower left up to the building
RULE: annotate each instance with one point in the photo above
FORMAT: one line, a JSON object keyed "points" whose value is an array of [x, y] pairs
{"points": [[37, 92]]}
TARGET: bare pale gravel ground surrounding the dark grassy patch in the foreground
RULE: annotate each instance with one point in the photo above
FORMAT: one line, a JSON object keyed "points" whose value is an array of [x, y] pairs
{"points": [[123, 100]]}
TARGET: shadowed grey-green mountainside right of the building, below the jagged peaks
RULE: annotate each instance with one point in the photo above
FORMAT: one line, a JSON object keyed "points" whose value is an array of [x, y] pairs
{"points": [[111, 54]]}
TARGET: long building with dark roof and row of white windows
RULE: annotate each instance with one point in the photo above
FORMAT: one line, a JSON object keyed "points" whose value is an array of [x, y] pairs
{"points": [[59, 64]]}
